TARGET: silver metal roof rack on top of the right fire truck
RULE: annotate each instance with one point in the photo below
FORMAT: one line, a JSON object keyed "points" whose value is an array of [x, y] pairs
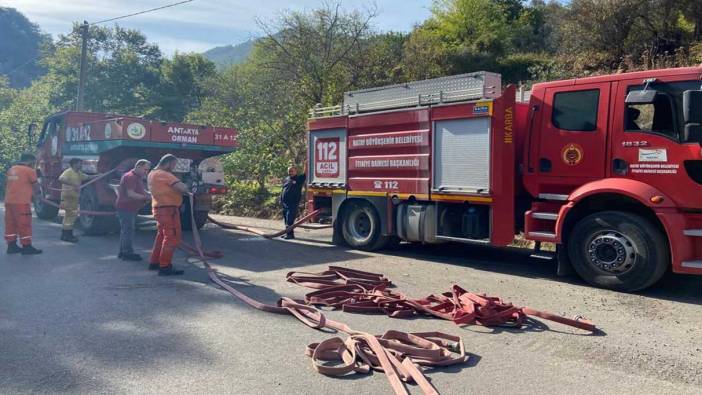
{"points": [[462, 87]]}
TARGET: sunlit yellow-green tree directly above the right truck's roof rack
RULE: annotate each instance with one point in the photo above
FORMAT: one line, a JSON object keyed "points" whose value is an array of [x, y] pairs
{"points": [[471, 35]]}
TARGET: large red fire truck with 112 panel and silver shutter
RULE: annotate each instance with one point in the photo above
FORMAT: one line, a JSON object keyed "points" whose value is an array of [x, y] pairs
{"points": [[608, 168]]}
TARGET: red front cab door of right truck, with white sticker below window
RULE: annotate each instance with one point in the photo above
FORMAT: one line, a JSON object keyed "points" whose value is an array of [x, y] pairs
{"points": [[649, 143]]}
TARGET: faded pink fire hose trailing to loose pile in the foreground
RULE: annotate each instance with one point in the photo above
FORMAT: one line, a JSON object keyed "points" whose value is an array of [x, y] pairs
{"points": [[398, 354]]}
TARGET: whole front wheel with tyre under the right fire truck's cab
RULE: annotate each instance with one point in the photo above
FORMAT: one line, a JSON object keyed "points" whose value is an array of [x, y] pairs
{"points": [[619, 251]]}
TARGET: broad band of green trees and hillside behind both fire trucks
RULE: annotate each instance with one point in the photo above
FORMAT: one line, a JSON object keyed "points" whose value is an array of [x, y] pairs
{"points": [[313, 57]]}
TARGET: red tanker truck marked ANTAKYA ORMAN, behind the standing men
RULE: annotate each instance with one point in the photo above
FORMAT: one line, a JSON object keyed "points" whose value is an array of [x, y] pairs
{"points": [[108, 141]]}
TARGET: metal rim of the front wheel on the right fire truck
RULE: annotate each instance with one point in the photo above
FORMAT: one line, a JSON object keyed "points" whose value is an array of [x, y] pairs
{"points": [[612, 252]]}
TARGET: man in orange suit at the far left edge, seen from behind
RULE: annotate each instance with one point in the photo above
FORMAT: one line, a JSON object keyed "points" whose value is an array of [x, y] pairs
{"points": [[21, 183]]}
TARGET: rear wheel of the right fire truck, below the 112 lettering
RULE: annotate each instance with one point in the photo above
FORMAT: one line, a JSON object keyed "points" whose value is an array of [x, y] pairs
{"points": [[361, 227]]}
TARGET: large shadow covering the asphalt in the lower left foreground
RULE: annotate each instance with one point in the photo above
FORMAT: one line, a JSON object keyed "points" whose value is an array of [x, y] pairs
{"points": [[77, 320]]}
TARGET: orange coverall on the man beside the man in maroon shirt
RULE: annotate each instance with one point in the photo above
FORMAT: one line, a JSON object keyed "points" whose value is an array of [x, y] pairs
{"points": [[165, 203]]}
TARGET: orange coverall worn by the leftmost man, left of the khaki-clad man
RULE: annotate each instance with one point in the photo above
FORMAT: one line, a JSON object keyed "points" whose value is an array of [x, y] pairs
{"points": [[18, 197]]}
